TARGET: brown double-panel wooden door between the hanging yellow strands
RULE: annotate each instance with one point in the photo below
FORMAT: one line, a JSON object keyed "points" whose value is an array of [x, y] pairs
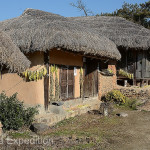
{"points": [[67, 83]]}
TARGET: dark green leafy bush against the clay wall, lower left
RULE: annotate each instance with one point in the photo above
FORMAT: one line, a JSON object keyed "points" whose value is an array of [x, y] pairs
{"points": [[13, 114]]}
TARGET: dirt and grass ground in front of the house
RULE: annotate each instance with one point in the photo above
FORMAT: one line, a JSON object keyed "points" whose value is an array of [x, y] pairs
{"points": [[95, 132]]}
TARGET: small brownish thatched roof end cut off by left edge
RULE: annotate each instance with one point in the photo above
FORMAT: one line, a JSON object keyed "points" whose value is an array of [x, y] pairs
{"points": [[11, 56]]}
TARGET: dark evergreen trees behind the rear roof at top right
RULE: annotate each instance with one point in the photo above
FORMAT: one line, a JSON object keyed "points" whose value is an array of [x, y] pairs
{"points": [[138, 13]]}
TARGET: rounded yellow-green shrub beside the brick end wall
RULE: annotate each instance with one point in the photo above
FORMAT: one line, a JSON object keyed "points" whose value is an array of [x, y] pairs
{"points": [[115, 96]]}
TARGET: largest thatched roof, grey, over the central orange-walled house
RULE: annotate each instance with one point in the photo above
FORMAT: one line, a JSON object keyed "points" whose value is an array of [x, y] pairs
{"points": [[37, 30]]}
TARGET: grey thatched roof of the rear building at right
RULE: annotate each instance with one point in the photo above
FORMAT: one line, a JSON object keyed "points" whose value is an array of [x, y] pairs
{"points": [[122, 32]]}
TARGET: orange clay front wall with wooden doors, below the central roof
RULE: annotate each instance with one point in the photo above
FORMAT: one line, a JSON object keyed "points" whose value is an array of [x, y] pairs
{"points": [[69, 68]]}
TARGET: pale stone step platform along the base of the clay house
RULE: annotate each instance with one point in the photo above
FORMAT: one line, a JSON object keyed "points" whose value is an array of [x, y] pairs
{"points": [[69, 109]]}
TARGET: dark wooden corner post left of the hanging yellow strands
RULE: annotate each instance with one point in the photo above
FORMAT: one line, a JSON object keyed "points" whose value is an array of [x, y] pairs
{"points": [[46, 80]]}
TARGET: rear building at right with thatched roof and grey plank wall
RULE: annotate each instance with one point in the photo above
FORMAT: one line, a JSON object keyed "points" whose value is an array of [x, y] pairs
{"points": [[132, 40]]}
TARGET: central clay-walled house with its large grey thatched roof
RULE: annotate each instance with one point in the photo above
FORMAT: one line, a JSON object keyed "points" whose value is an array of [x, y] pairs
{"points": [[70, 52]]}
